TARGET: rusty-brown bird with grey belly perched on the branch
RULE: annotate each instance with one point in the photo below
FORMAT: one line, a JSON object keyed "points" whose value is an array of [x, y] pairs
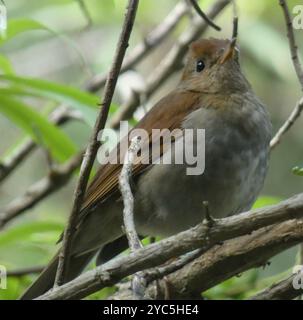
{"points": [[213, 94]]}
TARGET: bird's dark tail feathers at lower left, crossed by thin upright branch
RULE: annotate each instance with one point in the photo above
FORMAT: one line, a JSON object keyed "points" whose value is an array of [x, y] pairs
{"points": [[46, 279]]}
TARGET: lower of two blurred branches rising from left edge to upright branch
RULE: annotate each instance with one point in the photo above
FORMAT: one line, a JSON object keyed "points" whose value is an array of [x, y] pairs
{"points": [[51, 183]]}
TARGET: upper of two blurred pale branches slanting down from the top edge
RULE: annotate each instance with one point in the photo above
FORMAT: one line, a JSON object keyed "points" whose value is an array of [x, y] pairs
{"points": [[151, 41]]}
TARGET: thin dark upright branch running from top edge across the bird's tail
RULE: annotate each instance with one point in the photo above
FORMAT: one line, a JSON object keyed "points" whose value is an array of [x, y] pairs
{"points": [[92, 148]]}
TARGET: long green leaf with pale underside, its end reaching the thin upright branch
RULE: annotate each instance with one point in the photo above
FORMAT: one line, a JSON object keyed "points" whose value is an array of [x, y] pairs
{"points": [[85, 102]]}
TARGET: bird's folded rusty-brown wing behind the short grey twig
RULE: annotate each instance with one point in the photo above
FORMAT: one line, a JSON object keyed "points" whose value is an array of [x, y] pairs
{"points": [[168, 113]]}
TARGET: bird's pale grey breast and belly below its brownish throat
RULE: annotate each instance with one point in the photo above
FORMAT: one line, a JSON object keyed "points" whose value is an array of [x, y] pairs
{"points": [[235, 156]]}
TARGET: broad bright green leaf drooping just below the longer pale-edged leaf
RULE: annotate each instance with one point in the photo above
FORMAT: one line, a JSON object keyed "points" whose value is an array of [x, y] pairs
{"points": [[38, 127]]}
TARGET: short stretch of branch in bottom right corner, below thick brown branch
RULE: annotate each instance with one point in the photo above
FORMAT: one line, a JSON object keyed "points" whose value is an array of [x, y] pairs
{"points": [[283, 290]]}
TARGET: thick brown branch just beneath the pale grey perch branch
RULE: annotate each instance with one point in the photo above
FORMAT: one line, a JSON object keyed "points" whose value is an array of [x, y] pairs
{"points": [[225, 261]]}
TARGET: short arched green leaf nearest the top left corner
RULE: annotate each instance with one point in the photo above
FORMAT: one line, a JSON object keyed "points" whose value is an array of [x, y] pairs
{"points": [[17, 26]]}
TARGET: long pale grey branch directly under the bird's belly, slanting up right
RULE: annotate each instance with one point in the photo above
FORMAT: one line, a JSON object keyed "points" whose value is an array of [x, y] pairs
{"points": [[200, 236]]}
